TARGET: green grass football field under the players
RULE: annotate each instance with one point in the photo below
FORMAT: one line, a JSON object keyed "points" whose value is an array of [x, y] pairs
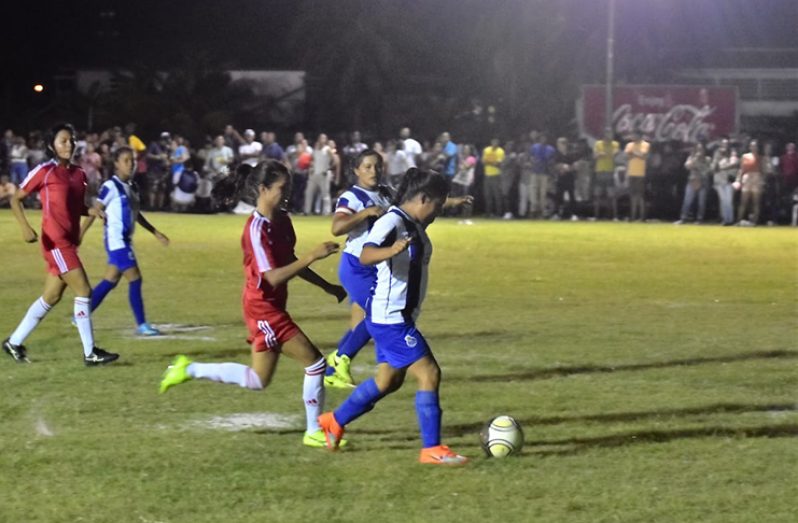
{"points": [[653, 368]]}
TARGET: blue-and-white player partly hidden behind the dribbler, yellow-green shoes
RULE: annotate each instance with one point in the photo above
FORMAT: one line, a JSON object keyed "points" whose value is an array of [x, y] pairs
{"points": [[355, 213]]}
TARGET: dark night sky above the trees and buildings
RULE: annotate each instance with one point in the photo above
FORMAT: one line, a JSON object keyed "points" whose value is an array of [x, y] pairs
{"points": [[269, 34]]}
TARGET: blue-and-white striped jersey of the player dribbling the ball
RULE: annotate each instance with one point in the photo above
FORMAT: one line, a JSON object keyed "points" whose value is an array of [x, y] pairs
{"points": [[401, 280]]}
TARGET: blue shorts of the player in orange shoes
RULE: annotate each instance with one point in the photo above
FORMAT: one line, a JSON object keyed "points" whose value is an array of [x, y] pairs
{"points": [[398, 345]]}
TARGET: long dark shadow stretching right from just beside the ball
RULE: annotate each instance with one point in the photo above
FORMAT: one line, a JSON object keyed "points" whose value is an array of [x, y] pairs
{"points": [[579, 445]]}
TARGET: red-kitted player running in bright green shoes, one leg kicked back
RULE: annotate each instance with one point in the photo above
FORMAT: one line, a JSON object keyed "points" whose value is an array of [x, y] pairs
{"points": [[269, 262]]}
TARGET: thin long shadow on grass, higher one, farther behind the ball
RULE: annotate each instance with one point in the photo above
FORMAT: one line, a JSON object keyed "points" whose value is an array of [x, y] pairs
{"points": [[557, 372]]}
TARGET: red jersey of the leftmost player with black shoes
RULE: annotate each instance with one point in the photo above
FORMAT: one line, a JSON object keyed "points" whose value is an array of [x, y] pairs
{"points": [[62, 191]]}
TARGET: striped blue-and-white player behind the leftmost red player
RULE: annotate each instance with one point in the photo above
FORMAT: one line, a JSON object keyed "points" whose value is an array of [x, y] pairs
{"points": [[120, 200]]}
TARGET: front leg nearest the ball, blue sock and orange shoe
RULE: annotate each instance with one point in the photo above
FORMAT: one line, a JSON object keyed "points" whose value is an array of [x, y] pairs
{"points": [[428, 375]]}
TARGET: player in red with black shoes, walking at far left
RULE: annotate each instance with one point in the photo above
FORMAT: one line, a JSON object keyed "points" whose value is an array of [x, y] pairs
{"points": [[62, 188]]}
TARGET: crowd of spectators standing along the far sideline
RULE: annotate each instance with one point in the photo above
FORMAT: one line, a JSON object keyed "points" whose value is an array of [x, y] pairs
{"points": [[533, 176]]}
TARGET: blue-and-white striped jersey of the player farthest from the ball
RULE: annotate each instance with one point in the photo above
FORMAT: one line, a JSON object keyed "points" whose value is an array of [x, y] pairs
{"points": [[121, 203]]}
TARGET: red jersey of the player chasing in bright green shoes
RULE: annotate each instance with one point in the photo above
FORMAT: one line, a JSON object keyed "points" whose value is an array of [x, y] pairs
{"points": [[267, 245]]}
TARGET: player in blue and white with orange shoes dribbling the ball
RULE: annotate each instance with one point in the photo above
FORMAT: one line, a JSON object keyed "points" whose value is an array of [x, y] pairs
{"points": [[399, 247]]}
